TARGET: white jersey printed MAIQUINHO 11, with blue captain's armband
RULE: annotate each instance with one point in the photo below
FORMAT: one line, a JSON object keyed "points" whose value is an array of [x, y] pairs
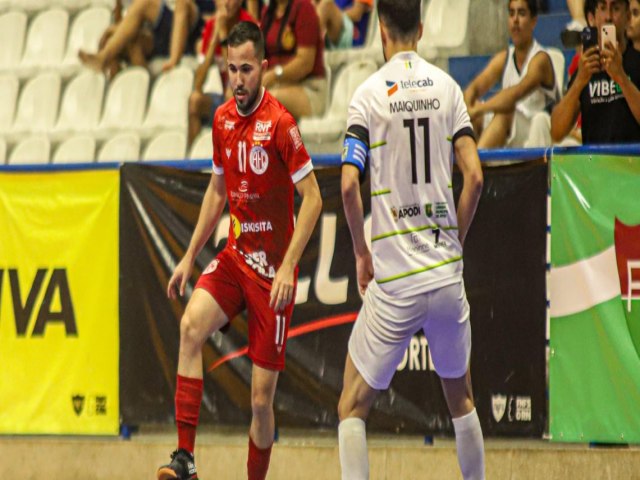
{"points": [[413, 112]]}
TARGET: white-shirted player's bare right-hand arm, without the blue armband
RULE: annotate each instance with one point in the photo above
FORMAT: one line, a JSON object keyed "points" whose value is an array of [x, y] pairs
{"points": [[469, 164]]}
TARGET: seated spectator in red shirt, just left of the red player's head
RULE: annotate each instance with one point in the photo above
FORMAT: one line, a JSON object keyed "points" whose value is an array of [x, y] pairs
{"points": [[202, 105]]}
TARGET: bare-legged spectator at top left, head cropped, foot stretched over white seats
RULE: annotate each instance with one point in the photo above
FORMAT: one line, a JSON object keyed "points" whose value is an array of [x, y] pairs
{"points": [[150, 28]]}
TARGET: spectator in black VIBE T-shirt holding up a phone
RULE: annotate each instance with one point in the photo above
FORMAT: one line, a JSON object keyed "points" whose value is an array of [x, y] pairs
{"points": [[604, 90]]}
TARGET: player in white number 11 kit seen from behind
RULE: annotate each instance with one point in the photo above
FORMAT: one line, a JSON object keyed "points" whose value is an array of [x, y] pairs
{"points": [[407, 123]]}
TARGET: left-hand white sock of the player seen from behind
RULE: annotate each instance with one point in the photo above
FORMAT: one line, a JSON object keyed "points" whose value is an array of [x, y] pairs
{"points": [[352, 439]]}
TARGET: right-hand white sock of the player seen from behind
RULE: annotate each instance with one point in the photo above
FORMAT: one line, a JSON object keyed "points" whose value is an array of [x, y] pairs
{"points": [[470, 446]]}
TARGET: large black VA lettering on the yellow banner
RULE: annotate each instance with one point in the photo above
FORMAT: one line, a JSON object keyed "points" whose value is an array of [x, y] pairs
{"points": [[55, 307]]}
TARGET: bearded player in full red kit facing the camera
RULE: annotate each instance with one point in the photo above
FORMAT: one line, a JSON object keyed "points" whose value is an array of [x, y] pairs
{"points": [[258, 159]]}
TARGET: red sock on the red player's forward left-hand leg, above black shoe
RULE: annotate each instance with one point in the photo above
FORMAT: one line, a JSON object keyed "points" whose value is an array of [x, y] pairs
{"points": [[188, 398]]}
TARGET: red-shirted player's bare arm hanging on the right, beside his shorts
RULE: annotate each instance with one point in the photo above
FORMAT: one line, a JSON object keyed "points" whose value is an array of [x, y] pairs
{"points": [[284, 282]]}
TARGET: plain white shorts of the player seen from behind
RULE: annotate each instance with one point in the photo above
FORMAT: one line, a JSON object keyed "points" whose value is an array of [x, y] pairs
{"points": [[385, 325]]}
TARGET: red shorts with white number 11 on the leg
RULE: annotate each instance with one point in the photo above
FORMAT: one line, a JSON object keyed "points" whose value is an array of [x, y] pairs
{"points": [[234, 291]]}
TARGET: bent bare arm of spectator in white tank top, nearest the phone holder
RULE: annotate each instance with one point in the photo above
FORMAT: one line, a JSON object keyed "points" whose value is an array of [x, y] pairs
{"points": [[540, 72]]}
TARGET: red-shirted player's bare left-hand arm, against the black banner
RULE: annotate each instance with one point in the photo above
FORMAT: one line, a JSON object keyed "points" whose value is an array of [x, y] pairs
{"points": [[212, 205]]}
